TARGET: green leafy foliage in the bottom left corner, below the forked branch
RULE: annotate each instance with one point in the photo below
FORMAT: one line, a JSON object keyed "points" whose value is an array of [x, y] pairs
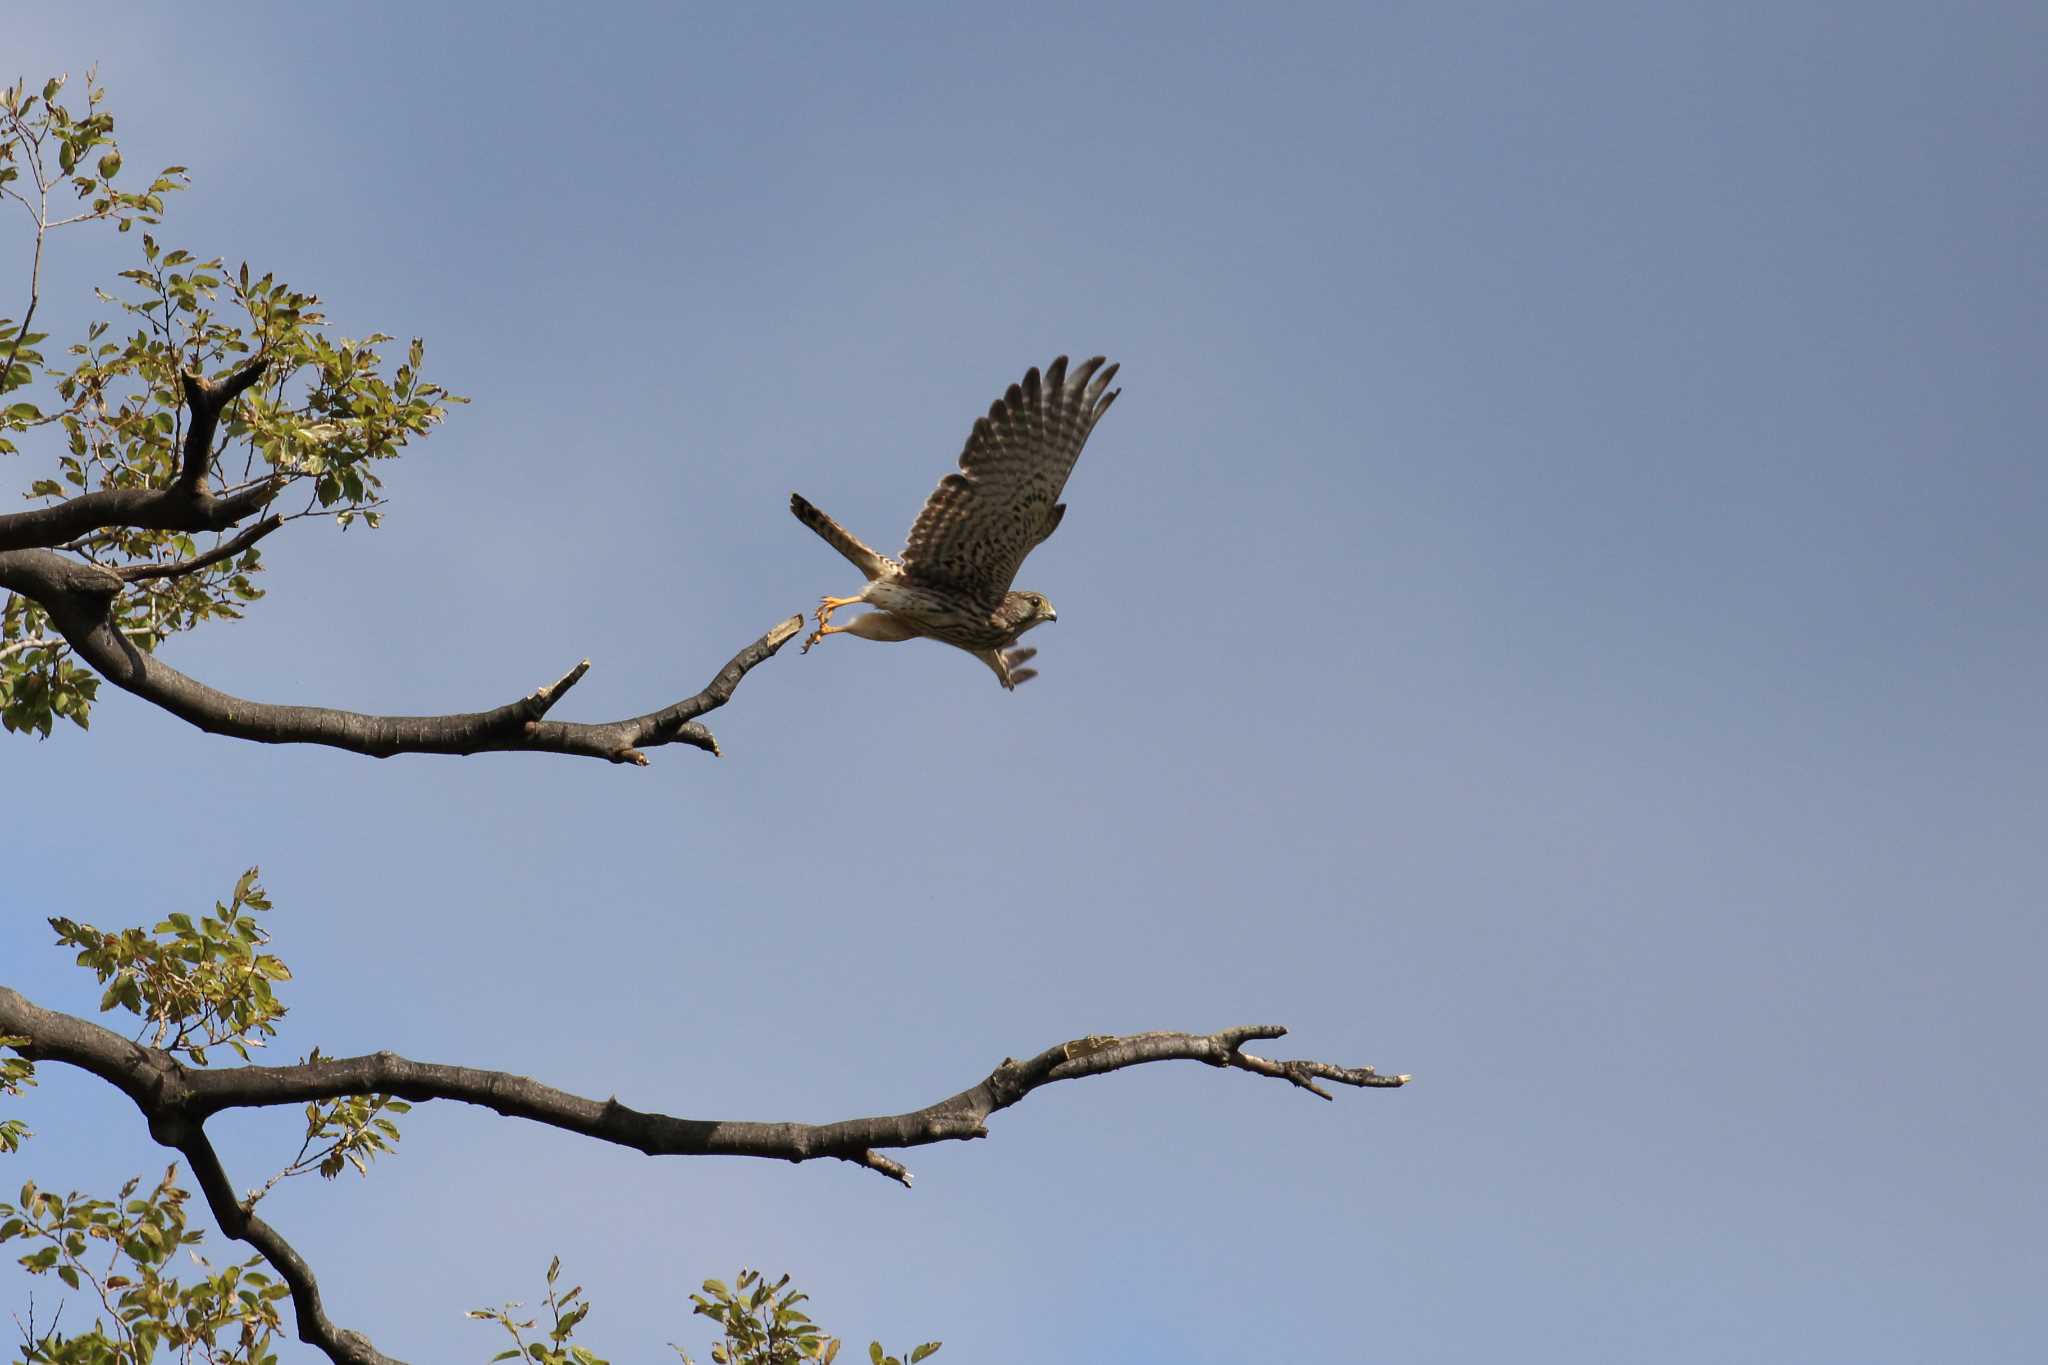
{"points": [[120, 1251]]}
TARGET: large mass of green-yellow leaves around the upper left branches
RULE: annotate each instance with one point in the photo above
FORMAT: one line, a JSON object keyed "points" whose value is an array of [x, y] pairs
{"points": [[325, 416]]}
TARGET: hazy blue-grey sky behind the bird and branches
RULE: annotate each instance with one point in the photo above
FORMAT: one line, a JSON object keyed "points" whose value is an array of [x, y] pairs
{"points": [[1558, 611]]}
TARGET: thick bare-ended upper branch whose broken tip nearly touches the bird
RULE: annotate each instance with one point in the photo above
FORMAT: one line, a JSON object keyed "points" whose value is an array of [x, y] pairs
{"points": [[81, 599]]}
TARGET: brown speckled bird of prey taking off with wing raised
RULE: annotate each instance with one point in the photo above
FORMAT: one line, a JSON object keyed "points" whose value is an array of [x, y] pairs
{"points": [[953, 582]]}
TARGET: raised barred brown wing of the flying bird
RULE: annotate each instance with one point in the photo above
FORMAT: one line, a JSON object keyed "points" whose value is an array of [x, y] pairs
{"points": [[982, 523]]}
